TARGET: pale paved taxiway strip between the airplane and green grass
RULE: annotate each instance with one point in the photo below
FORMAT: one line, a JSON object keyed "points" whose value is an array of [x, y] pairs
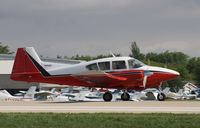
{"points": [[91, 107]]}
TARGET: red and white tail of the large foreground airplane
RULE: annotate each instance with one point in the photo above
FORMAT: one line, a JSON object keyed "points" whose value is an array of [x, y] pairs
{"points": [[27, 66]]}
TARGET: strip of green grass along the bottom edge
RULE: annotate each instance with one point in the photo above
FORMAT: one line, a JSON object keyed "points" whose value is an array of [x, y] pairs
{"points": [[98, 120]]}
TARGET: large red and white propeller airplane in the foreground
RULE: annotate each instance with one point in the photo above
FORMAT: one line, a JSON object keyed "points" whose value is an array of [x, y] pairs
{"points": [[124, 73]]}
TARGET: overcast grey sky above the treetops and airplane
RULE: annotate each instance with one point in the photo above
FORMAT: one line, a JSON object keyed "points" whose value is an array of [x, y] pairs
{"points": [[92, 27]]}
